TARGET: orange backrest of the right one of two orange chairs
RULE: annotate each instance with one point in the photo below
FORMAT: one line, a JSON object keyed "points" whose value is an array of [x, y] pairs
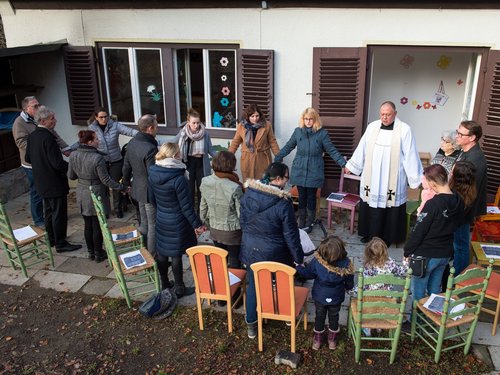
{"points": [[275, 289]]}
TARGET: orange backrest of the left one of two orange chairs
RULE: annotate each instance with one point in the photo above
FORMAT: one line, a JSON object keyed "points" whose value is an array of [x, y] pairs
{"points": [[209, 267]]}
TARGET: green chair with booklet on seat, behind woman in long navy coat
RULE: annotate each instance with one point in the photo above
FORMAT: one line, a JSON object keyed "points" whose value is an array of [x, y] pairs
{"points": [[135, 281]]}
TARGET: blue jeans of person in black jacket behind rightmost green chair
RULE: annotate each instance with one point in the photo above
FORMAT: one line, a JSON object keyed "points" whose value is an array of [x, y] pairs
{"points": [[431, 282]]}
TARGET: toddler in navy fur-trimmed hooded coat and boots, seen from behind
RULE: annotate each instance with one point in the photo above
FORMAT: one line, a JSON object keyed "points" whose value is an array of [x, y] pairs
{"points": [[333, 275]]}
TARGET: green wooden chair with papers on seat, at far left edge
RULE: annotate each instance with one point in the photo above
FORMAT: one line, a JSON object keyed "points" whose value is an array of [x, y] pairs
{"points": [[27, 252]]}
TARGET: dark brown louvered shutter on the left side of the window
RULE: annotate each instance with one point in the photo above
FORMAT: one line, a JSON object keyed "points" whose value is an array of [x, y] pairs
{"points": [[81, 80]]}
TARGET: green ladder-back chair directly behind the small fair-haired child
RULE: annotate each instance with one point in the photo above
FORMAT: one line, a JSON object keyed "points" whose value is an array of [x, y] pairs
{"points": [[378, 309]]}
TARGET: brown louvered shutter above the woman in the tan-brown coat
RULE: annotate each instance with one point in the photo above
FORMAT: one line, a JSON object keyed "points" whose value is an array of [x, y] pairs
{"points": [[256, 80]]}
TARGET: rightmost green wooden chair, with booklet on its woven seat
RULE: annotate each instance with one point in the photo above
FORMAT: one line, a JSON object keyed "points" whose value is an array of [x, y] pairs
{"points": [[434, 329]]}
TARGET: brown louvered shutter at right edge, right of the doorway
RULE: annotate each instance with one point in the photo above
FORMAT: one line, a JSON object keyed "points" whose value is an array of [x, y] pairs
{"points": [[489, 118]]}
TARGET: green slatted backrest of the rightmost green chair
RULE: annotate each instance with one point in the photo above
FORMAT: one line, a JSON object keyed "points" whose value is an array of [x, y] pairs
{"points": [[457, 295]]}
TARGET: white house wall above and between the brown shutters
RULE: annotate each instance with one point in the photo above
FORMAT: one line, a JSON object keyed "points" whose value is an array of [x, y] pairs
{"points": [[291, 33]]}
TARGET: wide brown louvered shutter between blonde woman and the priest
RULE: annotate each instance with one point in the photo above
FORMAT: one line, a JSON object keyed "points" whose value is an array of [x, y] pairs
{"points": [[339, 76]]}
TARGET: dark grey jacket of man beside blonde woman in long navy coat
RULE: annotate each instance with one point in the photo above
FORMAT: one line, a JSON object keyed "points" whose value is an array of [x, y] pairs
{"points": [[140, 155]]}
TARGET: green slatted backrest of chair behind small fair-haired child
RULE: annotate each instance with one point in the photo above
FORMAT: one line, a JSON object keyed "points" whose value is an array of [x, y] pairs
{"points": [[382, 304]]}
